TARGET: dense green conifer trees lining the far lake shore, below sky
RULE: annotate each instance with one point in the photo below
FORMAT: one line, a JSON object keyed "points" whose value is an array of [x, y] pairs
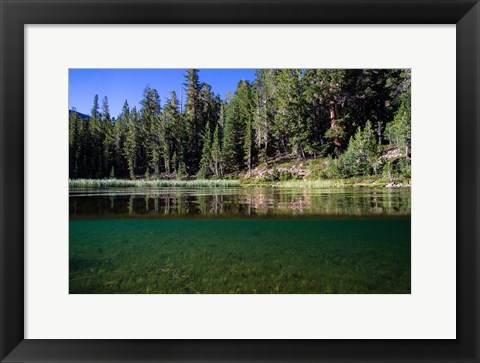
{"points": [[347, 115]]}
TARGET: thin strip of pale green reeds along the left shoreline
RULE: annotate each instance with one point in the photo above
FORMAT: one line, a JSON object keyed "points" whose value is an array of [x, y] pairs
{"points": [[164, 183]]}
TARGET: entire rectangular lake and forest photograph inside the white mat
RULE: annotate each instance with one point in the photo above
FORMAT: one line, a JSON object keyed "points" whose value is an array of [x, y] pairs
{"points": [[240, 181]]}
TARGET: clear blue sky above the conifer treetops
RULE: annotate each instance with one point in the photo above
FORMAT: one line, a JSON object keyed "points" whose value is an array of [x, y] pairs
{"points": [[128, 84]]}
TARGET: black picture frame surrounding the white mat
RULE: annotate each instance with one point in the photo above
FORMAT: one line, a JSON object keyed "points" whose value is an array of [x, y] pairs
{"points": [[15, 14]]}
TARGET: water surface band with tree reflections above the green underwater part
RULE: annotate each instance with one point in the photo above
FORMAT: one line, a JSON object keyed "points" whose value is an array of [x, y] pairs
{"points": [[249, 202]]}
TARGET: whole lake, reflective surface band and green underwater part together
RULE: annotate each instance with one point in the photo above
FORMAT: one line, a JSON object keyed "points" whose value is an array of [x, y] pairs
{"points": [[248, 240]]}
